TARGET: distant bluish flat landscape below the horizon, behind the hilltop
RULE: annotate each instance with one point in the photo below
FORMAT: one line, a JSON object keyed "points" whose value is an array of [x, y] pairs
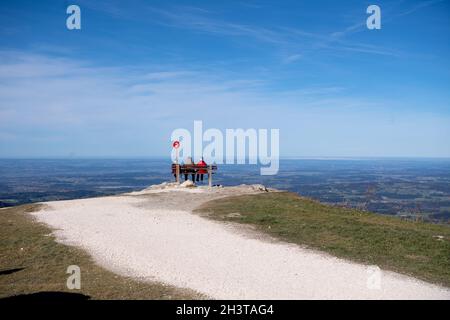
{"points": [[410, 188]]}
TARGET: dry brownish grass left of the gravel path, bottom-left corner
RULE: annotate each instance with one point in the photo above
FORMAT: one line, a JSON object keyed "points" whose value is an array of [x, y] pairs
{"points": [[31, 261]]}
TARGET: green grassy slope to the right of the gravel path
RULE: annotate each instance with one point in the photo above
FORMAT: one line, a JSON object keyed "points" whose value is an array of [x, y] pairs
{"points": [[418, 249]]}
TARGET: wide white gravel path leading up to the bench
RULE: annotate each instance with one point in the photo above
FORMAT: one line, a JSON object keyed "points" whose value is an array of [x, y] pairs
{"points": [[145, 236]]}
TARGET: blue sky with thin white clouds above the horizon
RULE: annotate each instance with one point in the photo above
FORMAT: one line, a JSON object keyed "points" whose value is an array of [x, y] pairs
{"points": [[137, 70]]}
